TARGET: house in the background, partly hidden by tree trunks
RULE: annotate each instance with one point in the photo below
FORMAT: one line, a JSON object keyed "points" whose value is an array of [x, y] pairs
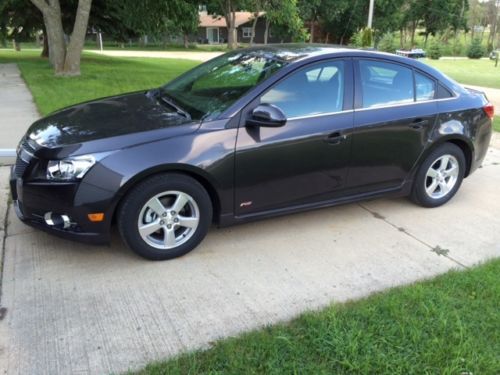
{"points": [[213, 29]]}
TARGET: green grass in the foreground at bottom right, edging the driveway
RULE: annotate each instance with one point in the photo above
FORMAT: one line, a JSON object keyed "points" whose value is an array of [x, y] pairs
{"points": [[449, 325]]}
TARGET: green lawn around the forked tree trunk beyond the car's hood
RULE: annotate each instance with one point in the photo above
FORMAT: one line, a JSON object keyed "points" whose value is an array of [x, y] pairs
{"points": [[101, 76]]}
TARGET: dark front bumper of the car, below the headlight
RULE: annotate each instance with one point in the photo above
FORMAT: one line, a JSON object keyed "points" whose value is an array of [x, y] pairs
{"points": [[31, 200]]}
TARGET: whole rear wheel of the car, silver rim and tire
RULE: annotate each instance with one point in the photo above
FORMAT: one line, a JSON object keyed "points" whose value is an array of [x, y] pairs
{"points": [[440, 176]]}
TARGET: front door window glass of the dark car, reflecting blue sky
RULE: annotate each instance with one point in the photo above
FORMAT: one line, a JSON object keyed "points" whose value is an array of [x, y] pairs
{"points": [[314, 90]]}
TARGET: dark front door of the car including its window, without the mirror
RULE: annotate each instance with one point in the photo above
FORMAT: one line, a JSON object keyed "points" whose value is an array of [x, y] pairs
{"points": [[307, 159]]}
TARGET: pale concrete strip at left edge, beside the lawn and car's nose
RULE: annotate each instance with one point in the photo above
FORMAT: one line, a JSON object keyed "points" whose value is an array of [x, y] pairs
{"points": [[17, 110]]}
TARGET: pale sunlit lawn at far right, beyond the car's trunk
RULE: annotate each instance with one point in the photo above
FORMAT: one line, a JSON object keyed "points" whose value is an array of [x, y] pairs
{"points": [[473, 72]]}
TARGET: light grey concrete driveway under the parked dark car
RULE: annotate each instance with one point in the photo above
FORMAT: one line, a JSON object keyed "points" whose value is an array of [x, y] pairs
{"points": [[70, 308]]}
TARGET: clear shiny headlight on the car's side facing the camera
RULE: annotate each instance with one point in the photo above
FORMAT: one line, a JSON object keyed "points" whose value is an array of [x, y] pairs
{"points": [[70, 169]]}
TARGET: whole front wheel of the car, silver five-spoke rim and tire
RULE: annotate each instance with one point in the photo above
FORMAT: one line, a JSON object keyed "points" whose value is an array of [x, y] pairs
{"points": [[165, 216]]}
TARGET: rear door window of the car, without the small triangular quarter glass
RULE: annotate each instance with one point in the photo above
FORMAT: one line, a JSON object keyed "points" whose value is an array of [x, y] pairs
{"points": [[385, 83]]}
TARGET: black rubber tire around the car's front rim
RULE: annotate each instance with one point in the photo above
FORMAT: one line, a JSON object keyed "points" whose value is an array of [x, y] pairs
{"points": [[132, 205]]}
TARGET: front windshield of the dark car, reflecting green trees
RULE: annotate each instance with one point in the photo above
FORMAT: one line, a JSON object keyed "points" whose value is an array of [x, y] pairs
{"points": [[209, 89]]}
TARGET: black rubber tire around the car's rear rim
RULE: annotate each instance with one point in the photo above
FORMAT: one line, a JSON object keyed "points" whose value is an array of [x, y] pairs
{"points": [[419, 194]]}
